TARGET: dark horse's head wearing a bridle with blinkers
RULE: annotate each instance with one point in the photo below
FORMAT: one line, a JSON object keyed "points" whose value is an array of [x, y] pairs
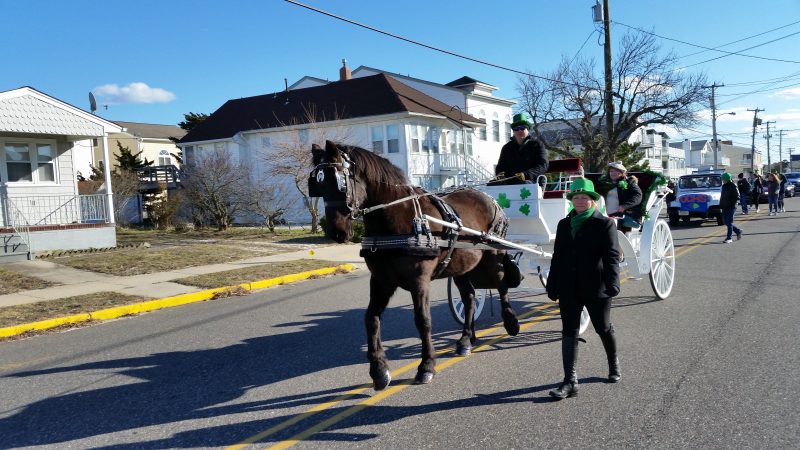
{"points": [[334, 179]]}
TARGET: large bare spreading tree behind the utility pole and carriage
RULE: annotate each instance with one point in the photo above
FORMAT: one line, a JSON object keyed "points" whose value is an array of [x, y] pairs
{"points": [[567, 104]]}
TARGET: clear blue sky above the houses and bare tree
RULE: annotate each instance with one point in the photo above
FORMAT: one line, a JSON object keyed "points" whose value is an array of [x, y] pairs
{"points": [[151, 61]]}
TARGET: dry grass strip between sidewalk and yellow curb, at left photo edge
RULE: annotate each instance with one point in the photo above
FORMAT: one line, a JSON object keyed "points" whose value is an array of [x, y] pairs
{"points": [[51, 309]]}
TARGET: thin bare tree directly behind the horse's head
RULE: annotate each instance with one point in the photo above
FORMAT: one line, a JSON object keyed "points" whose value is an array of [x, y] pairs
{"points": [[291, 159]]}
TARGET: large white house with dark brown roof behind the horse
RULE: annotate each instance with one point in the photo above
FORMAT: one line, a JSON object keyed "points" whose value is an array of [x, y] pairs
{"points": [[434, 142]]}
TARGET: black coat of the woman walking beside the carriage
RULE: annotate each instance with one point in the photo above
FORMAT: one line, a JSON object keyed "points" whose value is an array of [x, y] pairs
{"points": [[585, 267]]}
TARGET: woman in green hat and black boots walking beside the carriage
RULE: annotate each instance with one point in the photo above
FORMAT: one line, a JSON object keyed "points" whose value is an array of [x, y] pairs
{"points": [[584, 271]]}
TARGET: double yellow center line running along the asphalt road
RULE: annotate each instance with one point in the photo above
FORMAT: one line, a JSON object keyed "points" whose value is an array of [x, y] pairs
{"points": [[548, 310]]}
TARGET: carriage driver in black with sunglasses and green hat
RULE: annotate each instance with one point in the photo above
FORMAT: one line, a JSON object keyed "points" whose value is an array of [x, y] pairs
{"points": [[523, 158]]}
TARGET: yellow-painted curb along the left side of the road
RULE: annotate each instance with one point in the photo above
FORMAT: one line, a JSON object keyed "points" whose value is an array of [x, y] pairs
{"points": [[168, 302]]}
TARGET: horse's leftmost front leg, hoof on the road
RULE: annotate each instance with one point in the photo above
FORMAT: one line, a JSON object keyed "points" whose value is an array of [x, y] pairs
{"points": [[379, 295]]}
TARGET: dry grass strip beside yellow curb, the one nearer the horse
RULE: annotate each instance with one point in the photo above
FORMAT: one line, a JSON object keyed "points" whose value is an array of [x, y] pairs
{"points": [[255, 273]]}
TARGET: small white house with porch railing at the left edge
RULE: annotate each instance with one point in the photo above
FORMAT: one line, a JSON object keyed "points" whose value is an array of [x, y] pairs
{"points": [[40, 209]]}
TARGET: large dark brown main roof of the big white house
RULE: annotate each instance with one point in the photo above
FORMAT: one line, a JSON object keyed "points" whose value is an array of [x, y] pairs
{"points": [[358, 97]]}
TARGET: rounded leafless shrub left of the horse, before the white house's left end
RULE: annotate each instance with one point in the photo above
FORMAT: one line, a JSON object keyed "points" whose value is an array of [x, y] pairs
{"points": [[215, 186]]}
